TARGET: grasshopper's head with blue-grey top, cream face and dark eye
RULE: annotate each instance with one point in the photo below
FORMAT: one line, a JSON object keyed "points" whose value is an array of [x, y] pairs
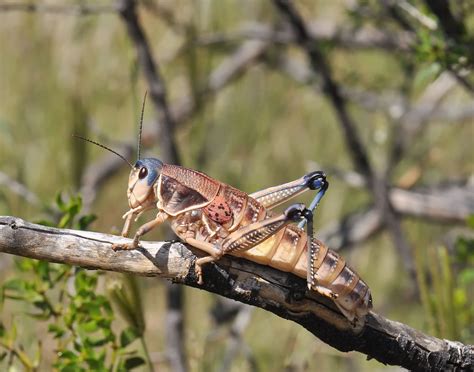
{"points": [[142, 178]]}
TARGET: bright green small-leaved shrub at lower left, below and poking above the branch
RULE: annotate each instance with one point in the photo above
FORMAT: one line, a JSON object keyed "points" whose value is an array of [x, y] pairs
{"points": [[79, 318]]}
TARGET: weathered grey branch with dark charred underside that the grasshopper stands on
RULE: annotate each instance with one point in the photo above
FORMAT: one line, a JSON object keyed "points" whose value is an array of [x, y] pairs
{"points": [[280, 293]]}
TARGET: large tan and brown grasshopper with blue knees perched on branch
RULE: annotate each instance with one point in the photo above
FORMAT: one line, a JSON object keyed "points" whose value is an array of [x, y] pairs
{"points": [[220, 219]]}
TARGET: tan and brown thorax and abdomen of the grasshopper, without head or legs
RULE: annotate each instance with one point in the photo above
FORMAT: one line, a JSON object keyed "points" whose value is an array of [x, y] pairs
{"points": [[220, 210]]}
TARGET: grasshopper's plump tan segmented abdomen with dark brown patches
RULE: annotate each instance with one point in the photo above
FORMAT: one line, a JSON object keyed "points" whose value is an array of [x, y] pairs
{"points": [[287, 251]]}
